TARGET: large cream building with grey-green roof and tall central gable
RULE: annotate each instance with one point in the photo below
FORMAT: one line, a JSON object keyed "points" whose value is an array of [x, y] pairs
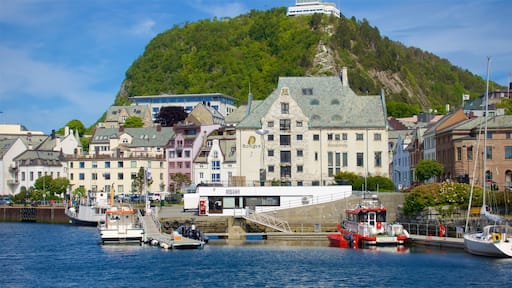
{"points": [[309, 129]]}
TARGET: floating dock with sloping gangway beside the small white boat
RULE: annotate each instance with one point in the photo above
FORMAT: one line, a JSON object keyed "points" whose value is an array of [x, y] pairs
{"points": [[154, 236]]}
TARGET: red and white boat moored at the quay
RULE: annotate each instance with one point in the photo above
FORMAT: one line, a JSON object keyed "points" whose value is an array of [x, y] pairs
{"points": [[365, 226]]}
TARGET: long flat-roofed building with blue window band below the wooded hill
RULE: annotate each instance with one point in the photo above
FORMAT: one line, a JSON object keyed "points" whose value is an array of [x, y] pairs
{"points": [[224, 104]]}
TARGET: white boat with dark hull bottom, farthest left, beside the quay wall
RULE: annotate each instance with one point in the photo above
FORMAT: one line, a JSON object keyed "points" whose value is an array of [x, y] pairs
{"points": [[88, 211]]}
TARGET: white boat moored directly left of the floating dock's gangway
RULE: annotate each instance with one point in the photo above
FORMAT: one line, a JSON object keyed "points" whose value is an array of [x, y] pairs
{"points": [[121, 225]]}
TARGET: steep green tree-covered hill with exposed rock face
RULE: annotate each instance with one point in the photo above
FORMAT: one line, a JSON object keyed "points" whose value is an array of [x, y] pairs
{"points": [[253, 50]]}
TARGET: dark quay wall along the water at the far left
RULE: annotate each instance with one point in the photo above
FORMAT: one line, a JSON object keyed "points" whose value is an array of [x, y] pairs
{"points": [[54, 215]]}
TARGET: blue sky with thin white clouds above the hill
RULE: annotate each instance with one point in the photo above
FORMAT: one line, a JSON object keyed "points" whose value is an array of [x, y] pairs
{"points": [[66, 59]]}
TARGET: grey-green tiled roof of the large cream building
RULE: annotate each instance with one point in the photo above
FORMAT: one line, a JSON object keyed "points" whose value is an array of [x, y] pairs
{"points": [[325, 102]]}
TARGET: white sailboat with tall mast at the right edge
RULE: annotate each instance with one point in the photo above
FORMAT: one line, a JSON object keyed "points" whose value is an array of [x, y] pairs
{"points": [[496, 238]]}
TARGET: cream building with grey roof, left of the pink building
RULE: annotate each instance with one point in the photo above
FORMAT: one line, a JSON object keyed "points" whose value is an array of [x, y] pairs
{"points": [[117, 155]]}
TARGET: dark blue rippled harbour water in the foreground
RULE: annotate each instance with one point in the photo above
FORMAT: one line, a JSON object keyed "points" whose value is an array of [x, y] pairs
{"points": [[49, 255]]}
